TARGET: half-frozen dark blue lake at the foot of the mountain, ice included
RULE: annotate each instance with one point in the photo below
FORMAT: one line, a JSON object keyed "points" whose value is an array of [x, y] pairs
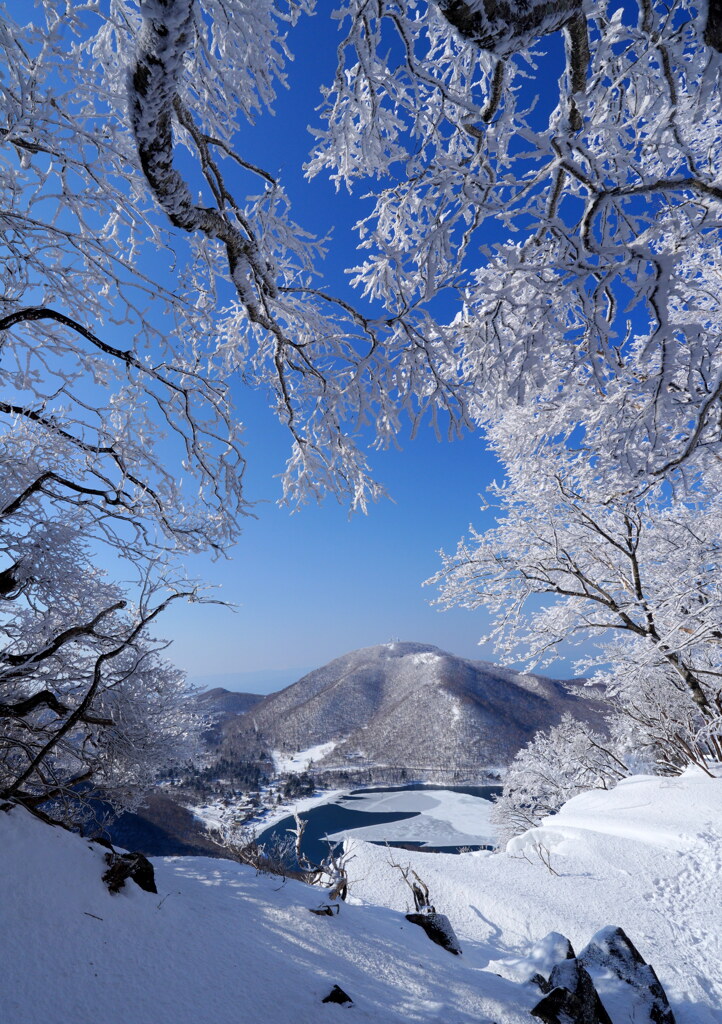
{"points": [[429, 818]]}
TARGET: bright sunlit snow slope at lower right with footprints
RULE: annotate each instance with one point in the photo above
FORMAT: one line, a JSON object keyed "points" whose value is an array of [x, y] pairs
{"points": [[647, 857]]}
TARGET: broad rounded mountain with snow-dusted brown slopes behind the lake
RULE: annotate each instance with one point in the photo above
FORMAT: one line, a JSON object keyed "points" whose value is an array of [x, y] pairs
{"points": [[412, 706]]}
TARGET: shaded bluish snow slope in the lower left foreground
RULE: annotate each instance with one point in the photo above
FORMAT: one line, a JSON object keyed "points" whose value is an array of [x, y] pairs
{"points": [[217, 945]]}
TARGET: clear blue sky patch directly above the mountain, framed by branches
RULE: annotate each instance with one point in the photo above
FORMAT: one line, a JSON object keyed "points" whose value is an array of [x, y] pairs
{"points": [[314, 585]]}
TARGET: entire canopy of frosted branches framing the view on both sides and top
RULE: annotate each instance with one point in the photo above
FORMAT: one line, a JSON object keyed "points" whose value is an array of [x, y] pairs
{"points": [[541, 265]]}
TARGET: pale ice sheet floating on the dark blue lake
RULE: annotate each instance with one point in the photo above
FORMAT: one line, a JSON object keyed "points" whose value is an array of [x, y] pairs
{"points": [[444, 819]]}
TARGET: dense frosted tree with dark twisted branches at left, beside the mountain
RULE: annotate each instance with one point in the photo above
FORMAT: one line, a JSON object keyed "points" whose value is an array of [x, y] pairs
{"points": [[89, 706]]}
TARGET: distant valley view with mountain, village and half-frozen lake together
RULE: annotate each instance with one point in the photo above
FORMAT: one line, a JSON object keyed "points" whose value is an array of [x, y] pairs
{"points": [[426, 736]]}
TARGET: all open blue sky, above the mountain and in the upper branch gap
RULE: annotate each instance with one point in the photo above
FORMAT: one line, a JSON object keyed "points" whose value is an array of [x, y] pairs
{"points": [[312, 586]]}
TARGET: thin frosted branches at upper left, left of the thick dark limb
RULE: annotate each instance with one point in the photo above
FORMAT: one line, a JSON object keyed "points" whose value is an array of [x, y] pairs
{"points": [[102, 366]]}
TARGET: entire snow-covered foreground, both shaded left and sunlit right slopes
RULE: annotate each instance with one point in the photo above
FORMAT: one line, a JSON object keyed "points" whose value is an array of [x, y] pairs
{"points": [[220, 944]]}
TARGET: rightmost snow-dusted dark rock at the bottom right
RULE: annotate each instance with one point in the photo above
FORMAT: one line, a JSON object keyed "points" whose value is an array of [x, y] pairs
{"points": [[613, 957]]}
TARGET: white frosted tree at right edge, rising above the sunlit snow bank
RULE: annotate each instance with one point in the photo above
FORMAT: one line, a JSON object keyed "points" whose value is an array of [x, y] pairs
{"points": [[638, 581]]}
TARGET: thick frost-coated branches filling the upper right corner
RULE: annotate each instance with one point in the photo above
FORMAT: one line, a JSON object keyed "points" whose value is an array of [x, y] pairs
{"points": [[593, 311]]}
